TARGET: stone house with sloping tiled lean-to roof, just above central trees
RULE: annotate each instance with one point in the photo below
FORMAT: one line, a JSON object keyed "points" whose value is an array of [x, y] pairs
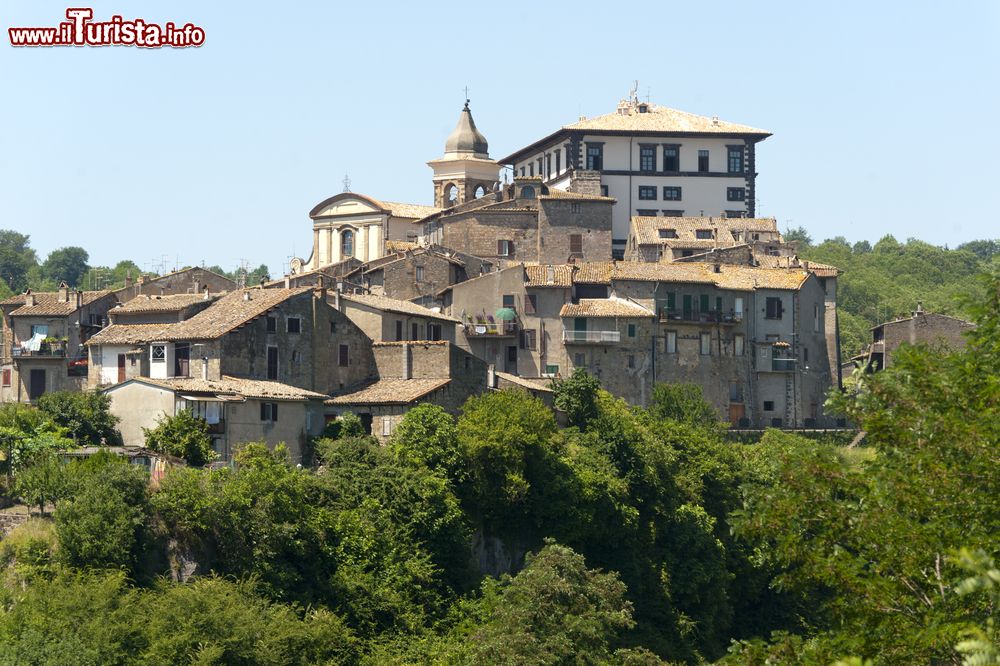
{"points": [[410, 373]]}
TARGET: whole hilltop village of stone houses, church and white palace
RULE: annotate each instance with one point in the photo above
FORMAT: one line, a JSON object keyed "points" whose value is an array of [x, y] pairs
{"points": [[625, 244]]}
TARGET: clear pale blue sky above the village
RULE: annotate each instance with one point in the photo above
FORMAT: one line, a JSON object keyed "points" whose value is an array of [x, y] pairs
{"points": [[884, 114]]}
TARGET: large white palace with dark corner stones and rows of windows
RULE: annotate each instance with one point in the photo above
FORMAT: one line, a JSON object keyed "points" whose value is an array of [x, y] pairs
{"points": [[654, 161]]}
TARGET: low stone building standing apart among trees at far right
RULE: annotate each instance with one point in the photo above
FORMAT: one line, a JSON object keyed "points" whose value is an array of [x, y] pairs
{"points": [[929, 328]]}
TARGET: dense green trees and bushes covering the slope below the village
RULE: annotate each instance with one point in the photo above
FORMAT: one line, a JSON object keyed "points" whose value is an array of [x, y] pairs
{"points": [[629, 536]]}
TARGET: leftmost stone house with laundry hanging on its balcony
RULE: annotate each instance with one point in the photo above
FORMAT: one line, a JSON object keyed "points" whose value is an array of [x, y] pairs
{"points": [[44, 334]]}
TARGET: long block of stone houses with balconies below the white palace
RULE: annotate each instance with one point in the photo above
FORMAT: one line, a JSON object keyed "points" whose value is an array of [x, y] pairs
{"points": [[753, 338]]}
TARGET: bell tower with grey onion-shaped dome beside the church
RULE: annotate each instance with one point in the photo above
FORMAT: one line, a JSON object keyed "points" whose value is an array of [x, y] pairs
{"points": [[465, 172]]}
